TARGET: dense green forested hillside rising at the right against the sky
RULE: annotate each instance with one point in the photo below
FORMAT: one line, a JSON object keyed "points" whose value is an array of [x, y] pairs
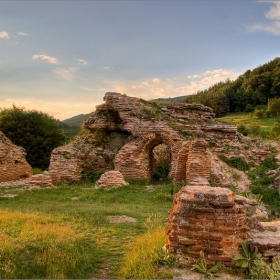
{"points": [[255, 87]]}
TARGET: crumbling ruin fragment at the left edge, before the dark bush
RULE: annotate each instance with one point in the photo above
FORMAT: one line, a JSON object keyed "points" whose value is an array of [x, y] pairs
{"points": [[13, 165]]}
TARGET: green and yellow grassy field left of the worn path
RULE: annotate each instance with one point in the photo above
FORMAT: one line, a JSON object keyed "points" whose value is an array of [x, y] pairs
{"points": [[98, 243]]}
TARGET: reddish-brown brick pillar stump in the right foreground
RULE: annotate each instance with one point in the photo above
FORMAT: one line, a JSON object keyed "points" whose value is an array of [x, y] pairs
{"points": [[208, 222]]}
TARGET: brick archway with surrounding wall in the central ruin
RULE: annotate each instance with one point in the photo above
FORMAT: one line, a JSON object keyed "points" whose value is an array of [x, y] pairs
{"points": [[134, 159]]}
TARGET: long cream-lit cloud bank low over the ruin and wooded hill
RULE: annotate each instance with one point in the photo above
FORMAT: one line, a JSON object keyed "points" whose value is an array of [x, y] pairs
{"points": [[172, 87]]}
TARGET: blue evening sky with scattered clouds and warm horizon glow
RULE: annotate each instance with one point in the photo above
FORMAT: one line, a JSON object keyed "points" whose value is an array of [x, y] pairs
{"points": [[61, 57]]}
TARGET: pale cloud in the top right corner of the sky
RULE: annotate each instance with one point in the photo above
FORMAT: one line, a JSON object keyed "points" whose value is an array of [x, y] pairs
{"points": [[273, 15]]}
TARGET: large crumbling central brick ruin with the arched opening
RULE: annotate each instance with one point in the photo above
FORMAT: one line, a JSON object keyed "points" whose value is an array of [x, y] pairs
{"points": [[124, 131]]}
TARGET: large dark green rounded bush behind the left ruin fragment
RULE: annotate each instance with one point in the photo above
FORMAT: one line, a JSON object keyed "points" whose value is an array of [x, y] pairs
{"points": [[37, 132]]}
